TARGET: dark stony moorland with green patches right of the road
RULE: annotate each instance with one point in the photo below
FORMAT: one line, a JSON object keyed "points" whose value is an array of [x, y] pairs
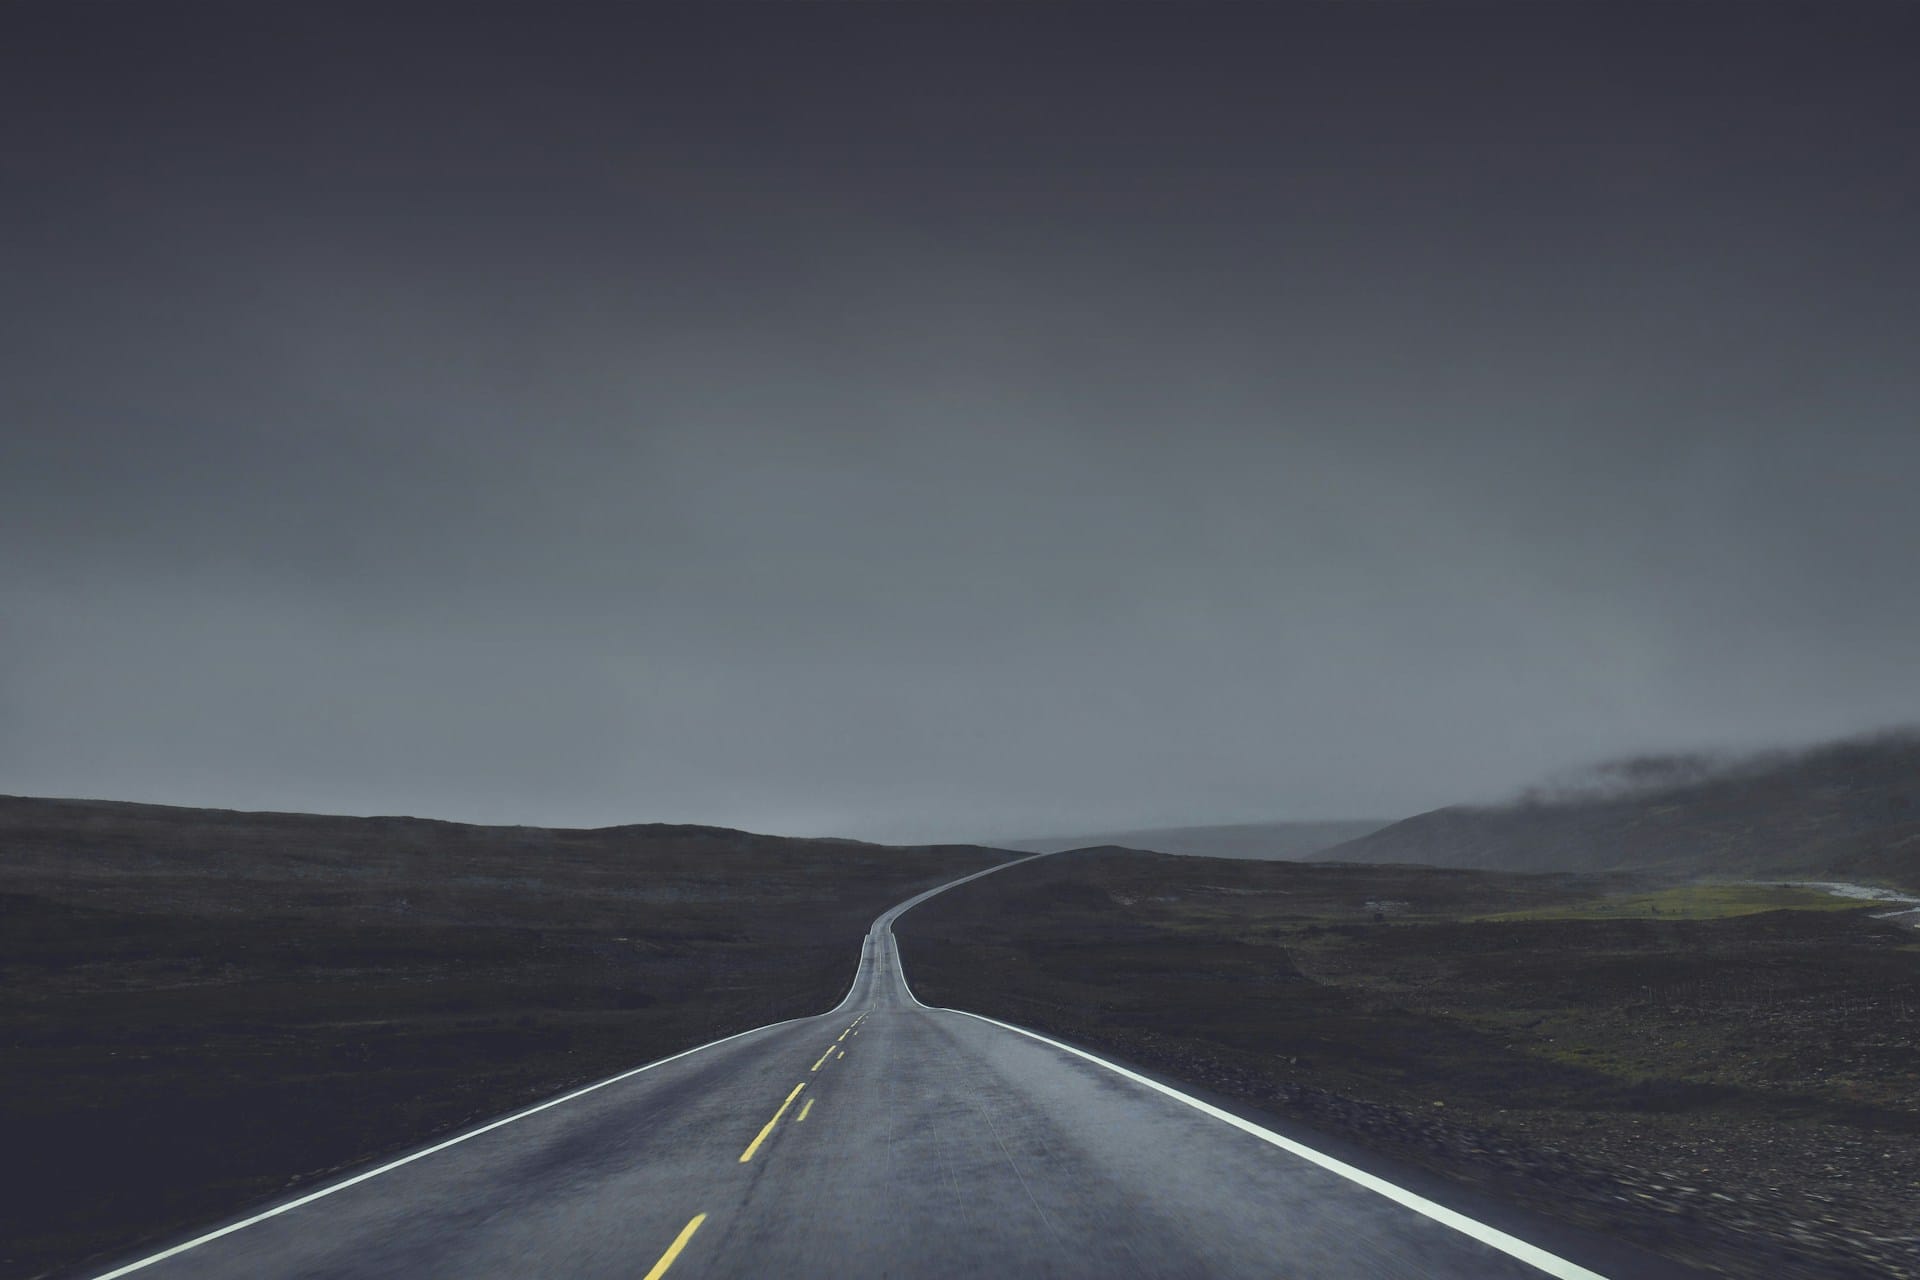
{"points": [[1727, 1074]]}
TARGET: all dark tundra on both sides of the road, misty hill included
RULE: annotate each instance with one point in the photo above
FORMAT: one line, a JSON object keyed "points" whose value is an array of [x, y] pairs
{"points": [[206, 1008]]}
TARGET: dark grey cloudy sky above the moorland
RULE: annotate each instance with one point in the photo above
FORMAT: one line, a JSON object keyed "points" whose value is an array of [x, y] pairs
{"points": [[971, 421]]}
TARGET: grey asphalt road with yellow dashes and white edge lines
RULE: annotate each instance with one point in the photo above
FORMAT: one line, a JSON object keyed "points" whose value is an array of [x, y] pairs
{"points": [[884, 1139]]}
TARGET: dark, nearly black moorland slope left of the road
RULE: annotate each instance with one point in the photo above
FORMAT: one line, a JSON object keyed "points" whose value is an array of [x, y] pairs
{"points": [[204, 1008]]}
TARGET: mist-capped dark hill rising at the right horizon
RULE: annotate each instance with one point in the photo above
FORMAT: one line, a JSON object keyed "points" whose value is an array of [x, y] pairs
{"points": [[1844, 811]]}
